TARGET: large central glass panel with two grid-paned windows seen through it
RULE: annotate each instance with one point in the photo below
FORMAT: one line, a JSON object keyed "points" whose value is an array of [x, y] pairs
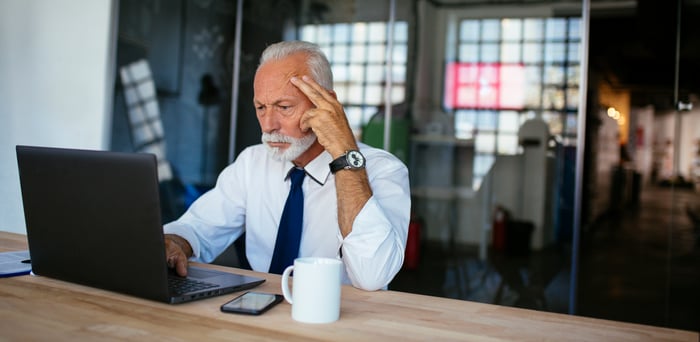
{"points": [[463, 86]]}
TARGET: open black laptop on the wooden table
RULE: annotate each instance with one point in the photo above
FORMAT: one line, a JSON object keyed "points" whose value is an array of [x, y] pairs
{"points": [[93, 218]]}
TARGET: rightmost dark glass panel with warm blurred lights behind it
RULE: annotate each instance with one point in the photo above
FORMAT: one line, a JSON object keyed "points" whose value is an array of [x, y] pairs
{"points": [[639, 247]]}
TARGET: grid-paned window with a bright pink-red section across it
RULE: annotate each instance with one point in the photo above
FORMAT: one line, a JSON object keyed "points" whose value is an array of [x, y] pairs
{"points": [[507, 71]]}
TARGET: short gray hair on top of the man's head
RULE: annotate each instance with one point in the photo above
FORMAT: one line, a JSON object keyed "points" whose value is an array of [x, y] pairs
{"points": [[317, 62]]}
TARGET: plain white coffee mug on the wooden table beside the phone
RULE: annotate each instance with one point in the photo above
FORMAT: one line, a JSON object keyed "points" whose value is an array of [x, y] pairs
{"points": [[316, 294]]}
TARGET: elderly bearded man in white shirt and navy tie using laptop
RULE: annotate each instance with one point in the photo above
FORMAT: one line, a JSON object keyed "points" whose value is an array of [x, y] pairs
{"points": [[349, 200]]}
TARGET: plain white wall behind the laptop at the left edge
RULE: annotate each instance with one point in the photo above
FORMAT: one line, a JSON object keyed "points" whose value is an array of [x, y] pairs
{"points": [[55, 85]]}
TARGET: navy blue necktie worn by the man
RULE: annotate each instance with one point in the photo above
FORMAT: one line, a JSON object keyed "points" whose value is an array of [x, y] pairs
{"points": [[289, 233]]}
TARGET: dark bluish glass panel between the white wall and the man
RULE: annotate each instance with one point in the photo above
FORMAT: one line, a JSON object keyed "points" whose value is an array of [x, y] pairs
{"points": [[183, 51]]}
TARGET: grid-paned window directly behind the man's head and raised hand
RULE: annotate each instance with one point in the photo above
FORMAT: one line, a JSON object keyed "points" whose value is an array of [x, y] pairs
{"points": [[357, 53]]}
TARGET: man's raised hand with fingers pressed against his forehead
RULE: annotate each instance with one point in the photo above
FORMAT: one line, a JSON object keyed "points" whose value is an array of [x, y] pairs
{"points": [[327, 120]]}
